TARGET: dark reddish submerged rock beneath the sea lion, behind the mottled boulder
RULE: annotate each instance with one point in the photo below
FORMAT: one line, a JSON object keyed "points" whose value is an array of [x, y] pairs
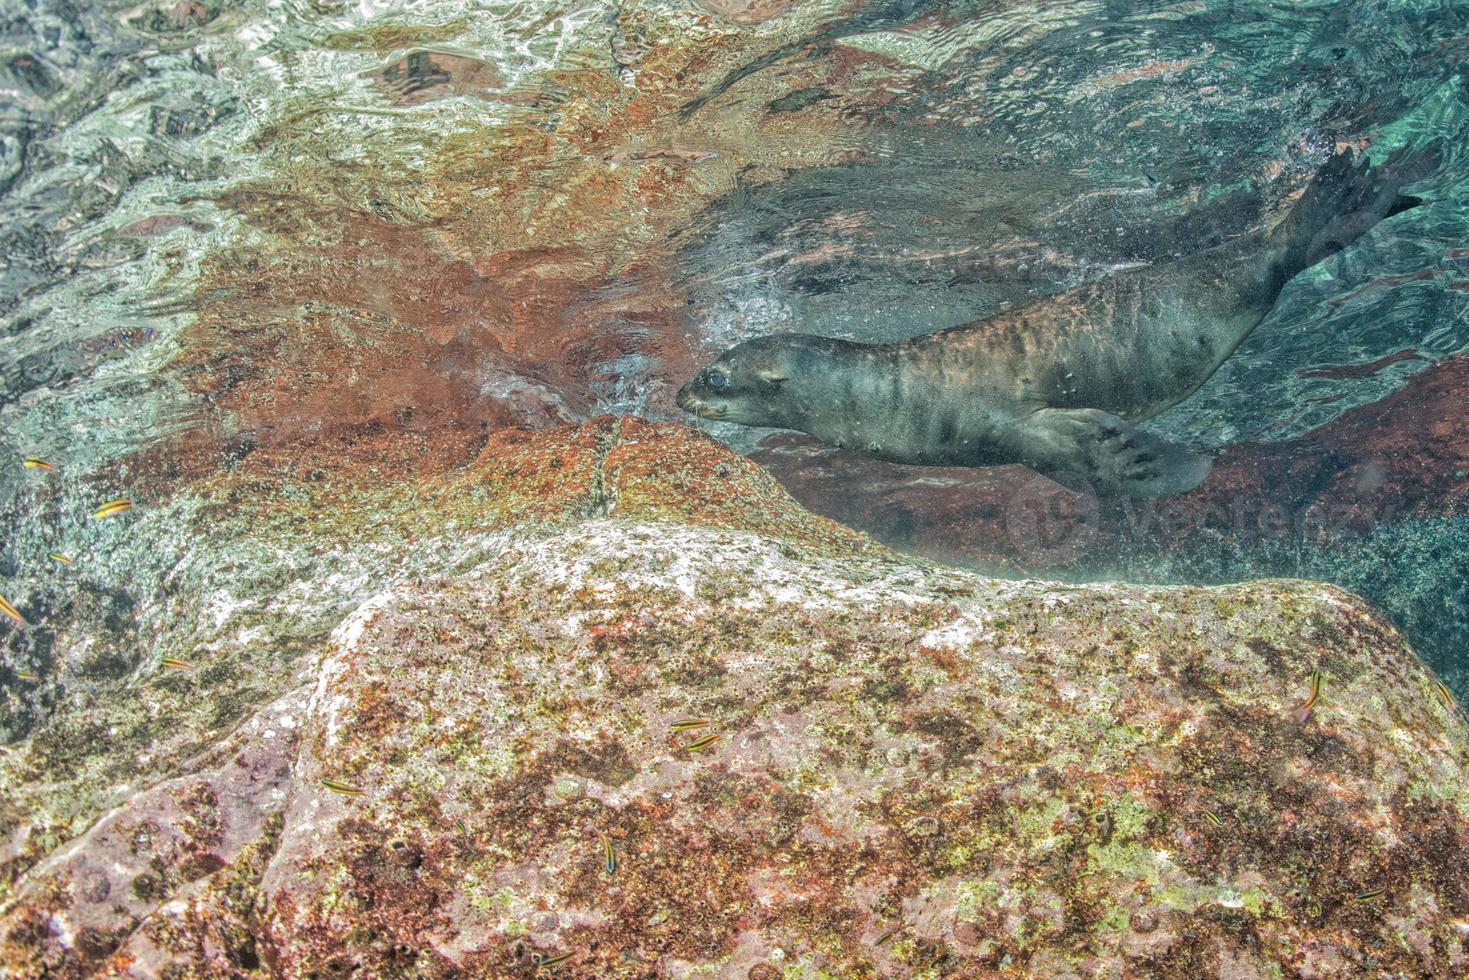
{"points": [[1377, 502]]}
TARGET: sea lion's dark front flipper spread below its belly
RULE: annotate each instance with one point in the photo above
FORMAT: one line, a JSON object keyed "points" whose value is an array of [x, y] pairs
{"points": [[1094, 452]]}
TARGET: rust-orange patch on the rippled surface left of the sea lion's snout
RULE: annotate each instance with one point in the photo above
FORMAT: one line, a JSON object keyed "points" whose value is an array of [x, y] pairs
{"points": [[522, 274]]}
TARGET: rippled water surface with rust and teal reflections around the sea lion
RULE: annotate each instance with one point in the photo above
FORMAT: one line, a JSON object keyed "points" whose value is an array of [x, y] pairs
{"points": [[346, 239]]}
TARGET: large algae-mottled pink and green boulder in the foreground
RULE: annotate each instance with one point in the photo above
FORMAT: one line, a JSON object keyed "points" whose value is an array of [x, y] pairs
{"points": [[917, 771]]}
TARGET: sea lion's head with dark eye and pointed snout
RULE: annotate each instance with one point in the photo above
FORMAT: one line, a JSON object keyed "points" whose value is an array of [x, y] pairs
{"points": [[748, 384]]}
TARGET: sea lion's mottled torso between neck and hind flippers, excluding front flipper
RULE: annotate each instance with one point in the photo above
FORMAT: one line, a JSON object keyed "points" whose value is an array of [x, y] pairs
{"points": [[1130, 346]]}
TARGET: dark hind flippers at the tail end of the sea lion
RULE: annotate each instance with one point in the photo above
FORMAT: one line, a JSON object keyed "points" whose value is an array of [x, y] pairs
{"points": [[1346, 199]]}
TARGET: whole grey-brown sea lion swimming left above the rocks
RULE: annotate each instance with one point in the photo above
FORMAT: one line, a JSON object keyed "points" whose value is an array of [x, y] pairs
{"points": [[1060, 383]]}
